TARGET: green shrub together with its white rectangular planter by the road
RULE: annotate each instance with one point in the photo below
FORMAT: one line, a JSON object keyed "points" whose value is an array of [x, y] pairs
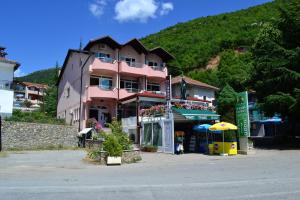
{"points": [[114, 150]]}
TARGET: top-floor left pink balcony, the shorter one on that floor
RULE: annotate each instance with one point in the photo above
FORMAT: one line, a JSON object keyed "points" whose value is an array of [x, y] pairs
{"points": [[104, 65]]}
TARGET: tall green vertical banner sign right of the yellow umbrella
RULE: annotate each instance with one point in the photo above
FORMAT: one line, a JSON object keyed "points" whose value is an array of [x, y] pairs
{"points": [[242, 115]]}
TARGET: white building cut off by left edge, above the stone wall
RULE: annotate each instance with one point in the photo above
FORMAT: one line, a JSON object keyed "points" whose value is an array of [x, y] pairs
{"points": [[7, 68]]}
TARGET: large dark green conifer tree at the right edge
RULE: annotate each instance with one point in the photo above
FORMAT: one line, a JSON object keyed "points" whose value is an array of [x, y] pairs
{"points": [[276, 54]]}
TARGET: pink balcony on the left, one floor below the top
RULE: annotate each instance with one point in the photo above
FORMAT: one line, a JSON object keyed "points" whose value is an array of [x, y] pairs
{"points": [[97, 92]]}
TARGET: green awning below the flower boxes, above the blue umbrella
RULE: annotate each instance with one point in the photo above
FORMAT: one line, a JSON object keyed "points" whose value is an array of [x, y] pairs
{"points": [[197, 114]]}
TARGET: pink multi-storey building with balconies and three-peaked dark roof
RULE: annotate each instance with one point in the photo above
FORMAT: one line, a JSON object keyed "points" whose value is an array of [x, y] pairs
{"points": [[95, 81]]}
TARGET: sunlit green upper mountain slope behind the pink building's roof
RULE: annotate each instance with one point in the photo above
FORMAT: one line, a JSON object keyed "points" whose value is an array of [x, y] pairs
{"points": [[195, 42]]}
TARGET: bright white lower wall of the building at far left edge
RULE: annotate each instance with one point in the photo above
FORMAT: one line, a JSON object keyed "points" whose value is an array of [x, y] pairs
{"points": [[6, 102]]}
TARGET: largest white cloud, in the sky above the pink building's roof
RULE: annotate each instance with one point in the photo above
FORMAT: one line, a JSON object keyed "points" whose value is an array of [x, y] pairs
{"points": [[135, 10]]}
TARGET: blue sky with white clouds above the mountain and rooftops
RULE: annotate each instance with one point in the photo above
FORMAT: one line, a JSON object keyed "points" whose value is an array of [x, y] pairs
{"points": [[38, 33]]}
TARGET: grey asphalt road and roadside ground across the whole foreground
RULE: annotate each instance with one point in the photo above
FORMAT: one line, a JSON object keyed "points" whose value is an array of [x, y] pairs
{"points": [[55, 175]]}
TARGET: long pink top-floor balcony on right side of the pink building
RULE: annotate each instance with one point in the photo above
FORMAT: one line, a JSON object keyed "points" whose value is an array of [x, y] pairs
{"points": [[140, 69]]}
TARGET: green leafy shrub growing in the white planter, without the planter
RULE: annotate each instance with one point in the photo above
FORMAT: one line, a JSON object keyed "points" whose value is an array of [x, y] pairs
{"points": [[112, 146]]}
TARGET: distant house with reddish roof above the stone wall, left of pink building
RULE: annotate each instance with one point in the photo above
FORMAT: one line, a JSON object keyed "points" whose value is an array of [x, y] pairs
{"points": [[27, 91]]}
